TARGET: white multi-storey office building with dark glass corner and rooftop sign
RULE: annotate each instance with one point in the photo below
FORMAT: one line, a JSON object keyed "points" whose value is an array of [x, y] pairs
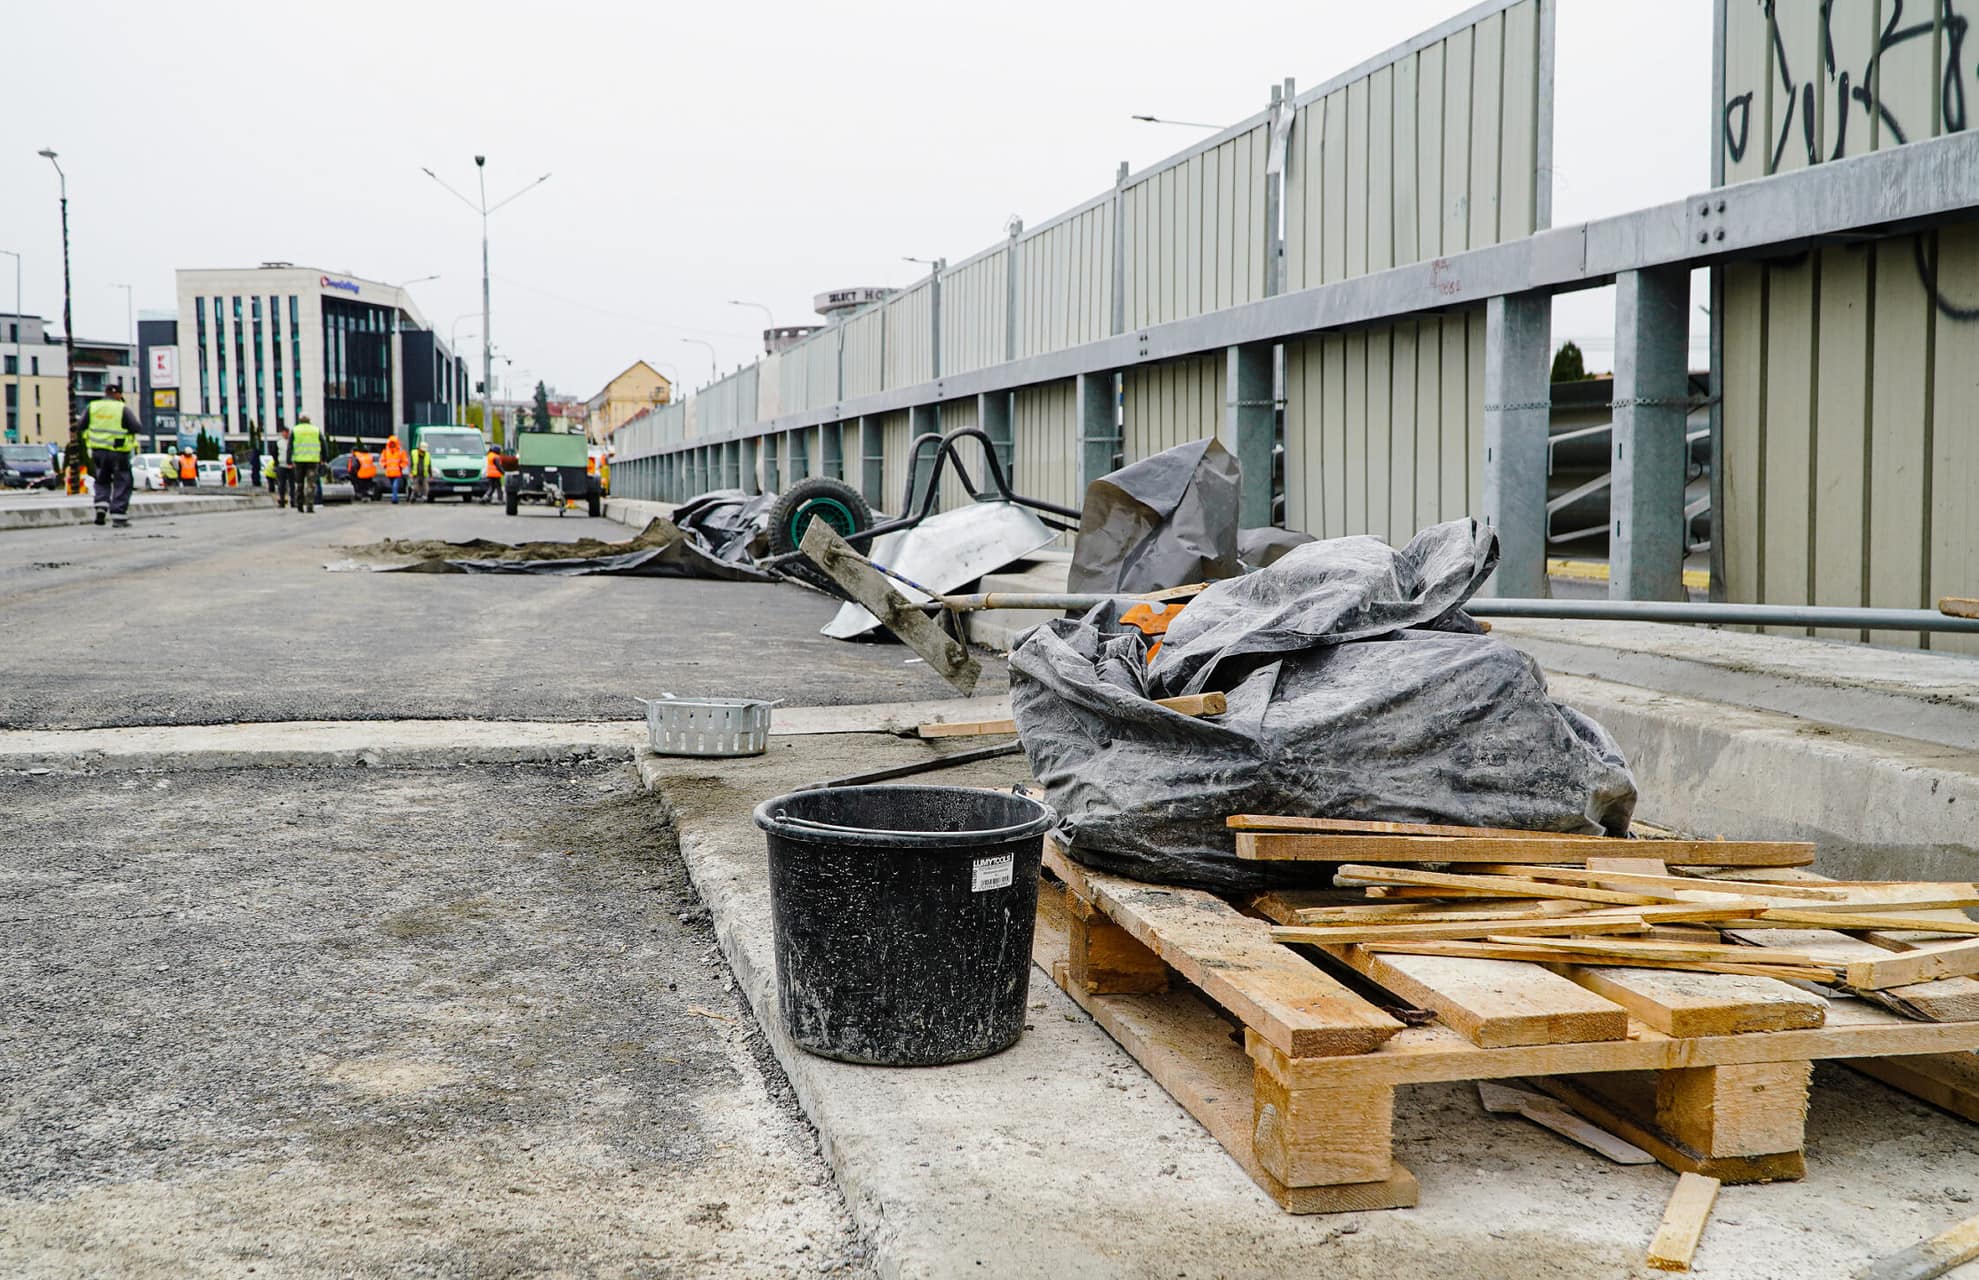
{"points": [[258, 347]]}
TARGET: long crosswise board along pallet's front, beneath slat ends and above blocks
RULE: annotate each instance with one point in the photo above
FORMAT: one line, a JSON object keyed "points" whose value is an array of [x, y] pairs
{"points": [[1422, 1055]]}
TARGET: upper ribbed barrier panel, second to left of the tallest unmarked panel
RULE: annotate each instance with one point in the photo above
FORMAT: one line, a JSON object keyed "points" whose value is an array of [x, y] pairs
{"points": [[1066, 280]]}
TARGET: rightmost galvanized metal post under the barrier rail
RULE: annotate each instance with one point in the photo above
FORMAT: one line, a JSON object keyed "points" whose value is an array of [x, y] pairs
{"points": [[1649, 454]]}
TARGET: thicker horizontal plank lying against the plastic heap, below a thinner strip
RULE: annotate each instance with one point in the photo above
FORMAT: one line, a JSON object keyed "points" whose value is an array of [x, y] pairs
{"points": [[1272, 846]]}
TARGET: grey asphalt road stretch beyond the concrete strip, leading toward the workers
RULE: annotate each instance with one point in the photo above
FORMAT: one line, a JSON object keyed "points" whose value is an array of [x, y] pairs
{"points": [[233, 618]]}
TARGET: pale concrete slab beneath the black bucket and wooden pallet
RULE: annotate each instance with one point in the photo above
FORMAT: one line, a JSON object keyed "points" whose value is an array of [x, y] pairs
{"points": [[1064, 1158]]}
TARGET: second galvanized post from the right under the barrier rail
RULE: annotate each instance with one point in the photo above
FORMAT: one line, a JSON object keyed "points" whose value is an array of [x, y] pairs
{"points": [[1517, 407]]}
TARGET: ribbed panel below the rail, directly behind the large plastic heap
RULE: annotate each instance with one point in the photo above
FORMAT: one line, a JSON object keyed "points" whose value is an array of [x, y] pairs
{"points": [[1384, 426]]}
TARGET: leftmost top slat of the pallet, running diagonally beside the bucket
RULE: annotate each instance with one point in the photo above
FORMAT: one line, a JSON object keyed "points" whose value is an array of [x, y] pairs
{"points": [[1279, 994]]}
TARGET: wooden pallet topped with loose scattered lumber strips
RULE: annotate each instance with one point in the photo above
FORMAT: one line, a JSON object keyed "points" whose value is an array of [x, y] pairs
{"points": [[1673, 994]]}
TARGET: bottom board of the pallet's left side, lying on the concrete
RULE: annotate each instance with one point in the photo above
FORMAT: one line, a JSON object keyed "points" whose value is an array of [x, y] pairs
{"points": [[1186, 1048]]}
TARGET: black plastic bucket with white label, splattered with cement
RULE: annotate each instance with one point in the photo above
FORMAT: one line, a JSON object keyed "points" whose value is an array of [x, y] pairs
{"points": [[903, 919]]}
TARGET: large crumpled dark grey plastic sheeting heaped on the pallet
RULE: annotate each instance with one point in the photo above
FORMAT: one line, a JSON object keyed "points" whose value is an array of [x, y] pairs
{"points": [[1357, 686]]}
